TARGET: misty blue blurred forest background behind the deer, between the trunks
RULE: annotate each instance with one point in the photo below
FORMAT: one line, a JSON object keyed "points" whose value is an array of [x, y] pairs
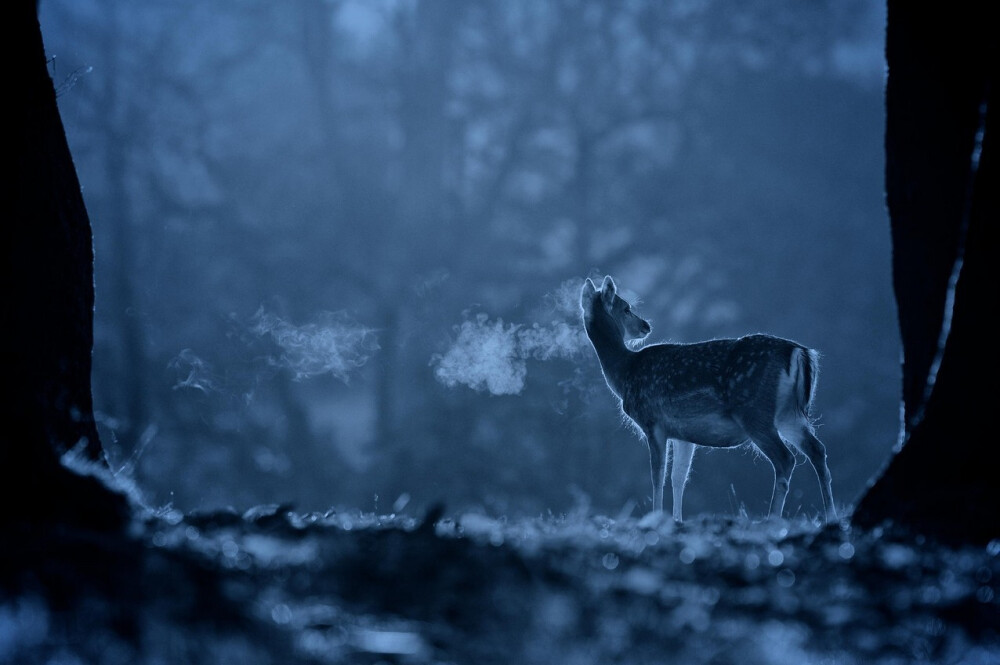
{"points": [[339, 245]]}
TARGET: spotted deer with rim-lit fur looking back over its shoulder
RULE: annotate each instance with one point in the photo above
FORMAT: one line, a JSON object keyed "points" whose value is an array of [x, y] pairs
{"points": [[757, 389]]}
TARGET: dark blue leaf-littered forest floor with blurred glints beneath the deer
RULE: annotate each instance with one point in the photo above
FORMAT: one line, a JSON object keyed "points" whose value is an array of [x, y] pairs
{"points": [[275, 586]]}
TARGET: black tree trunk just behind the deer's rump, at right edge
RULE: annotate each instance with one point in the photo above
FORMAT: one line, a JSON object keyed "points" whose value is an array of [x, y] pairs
{"points": [[942, 188]]}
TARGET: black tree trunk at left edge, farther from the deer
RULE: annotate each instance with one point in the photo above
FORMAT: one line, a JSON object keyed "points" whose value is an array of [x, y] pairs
{"points": [[50, 301]]}
